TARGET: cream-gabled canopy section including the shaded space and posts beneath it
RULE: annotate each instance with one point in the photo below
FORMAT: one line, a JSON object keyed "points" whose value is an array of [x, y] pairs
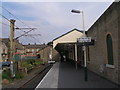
{"points": [[67, 46]]}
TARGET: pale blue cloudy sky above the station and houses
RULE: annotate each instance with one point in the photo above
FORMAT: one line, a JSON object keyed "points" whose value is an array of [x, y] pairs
{"points": [[51, 19]]}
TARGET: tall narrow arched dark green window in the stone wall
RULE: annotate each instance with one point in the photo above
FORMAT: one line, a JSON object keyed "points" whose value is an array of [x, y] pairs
{"points": [[109, 49]]}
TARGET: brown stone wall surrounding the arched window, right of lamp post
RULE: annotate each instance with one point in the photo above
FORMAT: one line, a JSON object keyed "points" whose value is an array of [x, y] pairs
{"points": [[108, 23]]}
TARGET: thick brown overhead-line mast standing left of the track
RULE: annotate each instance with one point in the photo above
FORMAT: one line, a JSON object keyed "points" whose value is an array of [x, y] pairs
{"points": [[12, 47]]}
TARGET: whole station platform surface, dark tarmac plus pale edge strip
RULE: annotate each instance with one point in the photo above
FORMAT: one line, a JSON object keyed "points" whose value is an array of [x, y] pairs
{"points": [[65, 75]]}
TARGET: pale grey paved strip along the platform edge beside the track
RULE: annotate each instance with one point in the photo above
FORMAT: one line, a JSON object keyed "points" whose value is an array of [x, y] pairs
{"points": [[51, 78]]}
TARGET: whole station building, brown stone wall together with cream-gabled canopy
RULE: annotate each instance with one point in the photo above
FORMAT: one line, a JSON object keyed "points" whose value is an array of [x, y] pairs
{"points": [[103, 57]]}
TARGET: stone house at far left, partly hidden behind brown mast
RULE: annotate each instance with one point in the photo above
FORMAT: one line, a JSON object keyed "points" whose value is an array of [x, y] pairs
{"points": [[5, 48]]}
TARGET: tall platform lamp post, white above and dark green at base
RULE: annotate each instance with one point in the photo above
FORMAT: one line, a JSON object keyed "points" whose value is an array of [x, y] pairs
{"points": [[84, 48]]}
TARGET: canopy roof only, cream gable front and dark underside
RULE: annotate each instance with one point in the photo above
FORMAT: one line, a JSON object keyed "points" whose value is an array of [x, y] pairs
{"points": [[67, 40]]}
